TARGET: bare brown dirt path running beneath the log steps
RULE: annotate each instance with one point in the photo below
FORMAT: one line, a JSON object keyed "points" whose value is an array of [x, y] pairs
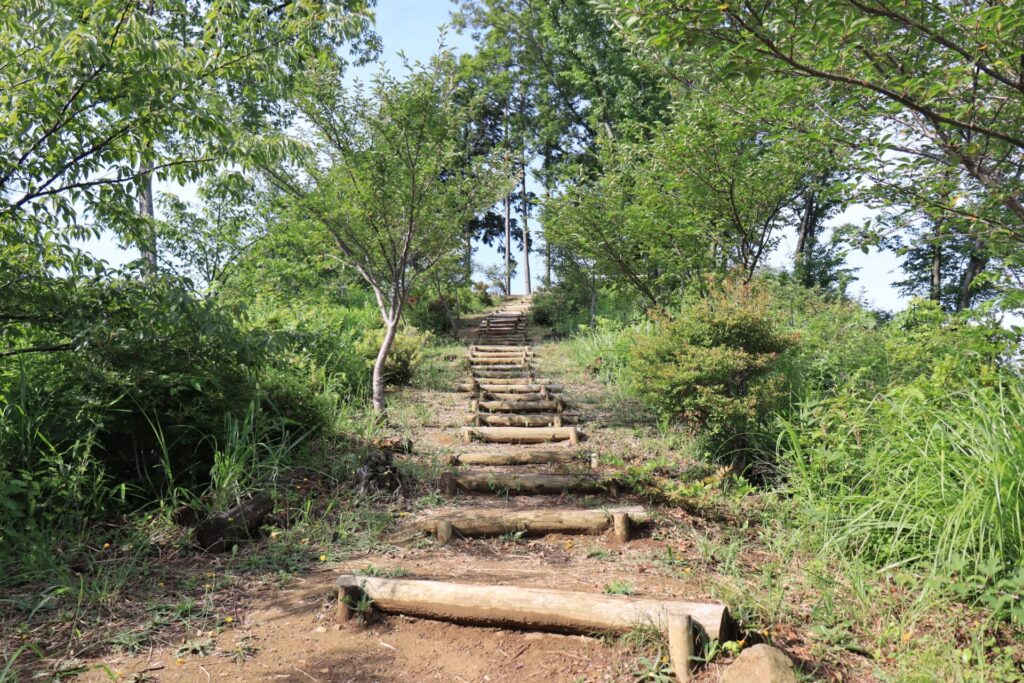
{"points": [[293, 634]]}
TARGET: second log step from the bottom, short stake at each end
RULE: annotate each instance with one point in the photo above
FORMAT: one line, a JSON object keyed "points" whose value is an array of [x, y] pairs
{"points": [[534, 523]]}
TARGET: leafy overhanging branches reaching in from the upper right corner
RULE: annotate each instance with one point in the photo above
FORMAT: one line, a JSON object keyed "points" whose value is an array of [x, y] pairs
{"points": [[937, 89]]}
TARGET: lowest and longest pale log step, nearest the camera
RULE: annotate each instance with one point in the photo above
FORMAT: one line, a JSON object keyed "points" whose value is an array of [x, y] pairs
{"points": [[536, 609]]}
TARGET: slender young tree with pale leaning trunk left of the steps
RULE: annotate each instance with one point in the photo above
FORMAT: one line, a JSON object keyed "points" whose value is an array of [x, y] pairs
{"points": [[392, 180]]}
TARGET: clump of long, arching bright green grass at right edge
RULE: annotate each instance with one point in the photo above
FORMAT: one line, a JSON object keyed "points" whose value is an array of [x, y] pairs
{"points": [[915, 478]]}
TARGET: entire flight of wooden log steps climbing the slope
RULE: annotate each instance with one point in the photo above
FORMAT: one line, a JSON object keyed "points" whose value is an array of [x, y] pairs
{"points": [[511, 404]]}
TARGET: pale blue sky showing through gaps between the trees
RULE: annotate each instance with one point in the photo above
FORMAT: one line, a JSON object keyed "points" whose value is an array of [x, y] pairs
{"points": [[413, 27]]}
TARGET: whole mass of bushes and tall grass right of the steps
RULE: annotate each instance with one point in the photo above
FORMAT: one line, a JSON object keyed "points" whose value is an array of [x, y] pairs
{"points": [[891, 446]]}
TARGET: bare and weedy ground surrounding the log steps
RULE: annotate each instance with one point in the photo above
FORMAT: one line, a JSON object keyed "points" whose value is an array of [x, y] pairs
{"points": [[267, 613]]}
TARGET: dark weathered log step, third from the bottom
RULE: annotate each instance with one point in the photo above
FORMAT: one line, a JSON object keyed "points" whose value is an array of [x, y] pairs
{"points": [[527, 484]]}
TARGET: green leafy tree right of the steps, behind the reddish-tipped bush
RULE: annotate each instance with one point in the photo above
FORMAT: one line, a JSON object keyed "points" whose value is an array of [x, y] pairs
{"points": [[709, 193]]}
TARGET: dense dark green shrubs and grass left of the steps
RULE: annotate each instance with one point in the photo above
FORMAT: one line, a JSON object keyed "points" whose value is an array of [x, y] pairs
{"points": [[181, 400]]}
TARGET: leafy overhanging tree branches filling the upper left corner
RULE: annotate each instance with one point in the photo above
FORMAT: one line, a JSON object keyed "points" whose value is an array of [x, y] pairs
{"points": [[99, 98]]}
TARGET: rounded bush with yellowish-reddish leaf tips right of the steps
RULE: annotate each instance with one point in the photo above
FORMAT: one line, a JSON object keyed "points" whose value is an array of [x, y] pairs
{"points": [[715, 366]]}
